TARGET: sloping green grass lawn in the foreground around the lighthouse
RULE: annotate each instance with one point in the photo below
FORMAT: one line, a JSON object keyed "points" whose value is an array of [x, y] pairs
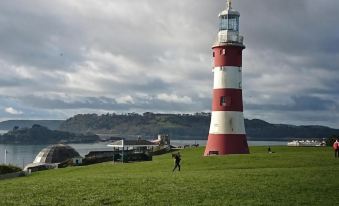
{"points": [[291, 176]]}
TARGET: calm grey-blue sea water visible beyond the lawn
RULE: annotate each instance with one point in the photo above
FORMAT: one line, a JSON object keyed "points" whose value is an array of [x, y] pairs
{"points": [[21, 155]]}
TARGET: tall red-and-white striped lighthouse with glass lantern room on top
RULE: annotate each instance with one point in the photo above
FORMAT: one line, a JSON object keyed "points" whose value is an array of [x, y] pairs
{"points": [[227, 133]]}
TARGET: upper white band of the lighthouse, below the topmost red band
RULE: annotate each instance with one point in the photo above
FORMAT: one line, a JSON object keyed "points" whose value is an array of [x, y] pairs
{"points": [[227, 77]]}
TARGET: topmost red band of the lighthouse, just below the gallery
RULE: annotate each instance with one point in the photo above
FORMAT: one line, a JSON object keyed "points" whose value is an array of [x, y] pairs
{"points": [[228, 56]]}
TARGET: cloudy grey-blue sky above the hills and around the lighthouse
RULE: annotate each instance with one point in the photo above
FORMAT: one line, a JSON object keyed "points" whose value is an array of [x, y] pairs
{"points": [[61, 58]]}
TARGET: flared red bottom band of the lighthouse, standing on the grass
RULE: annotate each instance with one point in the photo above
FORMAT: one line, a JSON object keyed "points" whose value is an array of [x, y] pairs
{"points": [[223, 144]]}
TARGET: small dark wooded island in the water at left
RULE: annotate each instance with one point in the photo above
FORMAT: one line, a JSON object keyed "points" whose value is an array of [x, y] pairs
{"points": [[42, 135]]}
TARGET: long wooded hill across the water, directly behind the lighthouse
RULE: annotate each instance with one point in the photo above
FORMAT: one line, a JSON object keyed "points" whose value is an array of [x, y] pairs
{"points": [[183, 126]]}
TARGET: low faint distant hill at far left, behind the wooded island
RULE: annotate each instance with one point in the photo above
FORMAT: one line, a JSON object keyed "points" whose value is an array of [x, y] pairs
{"points": [[10, 124]]}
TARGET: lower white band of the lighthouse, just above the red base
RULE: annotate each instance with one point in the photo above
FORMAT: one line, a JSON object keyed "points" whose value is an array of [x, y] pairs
{"points": [[227, 122]]}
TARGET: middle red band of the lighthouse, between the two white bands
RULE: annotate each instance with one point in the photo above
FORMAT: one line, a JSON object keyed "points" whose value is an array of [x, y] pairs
{"points": [[227, 100]]}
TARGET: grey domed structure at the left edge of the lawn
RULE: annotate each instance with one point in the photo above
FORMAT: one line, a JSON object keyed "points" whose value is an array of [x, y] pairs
{"points": [[56, 154]]}
